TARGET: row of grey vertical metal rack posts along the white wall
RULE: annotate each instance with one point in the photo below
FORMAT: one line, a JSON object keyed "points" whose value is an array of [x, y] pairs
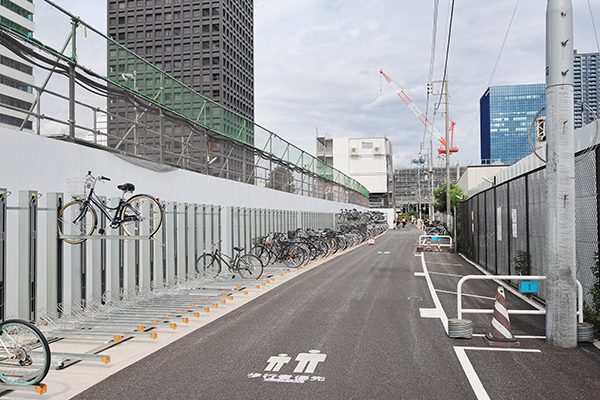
{"points": [[47, 272]]}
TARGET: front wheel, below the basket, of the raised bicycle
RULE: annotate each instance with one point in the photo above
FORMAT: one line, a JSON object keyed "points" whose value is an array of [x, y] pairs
{"points": [[76, 219]]}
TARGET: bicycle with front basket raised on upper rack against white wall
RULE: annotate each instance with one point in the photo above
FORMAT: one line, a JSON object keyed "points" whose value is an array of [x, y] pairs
{"points": [[140, 215]]}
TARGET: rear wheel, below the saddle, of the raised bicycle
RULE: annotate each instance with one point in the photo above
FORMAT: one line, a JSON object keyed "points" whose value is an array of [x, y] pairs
{"points": [[141, 216]]}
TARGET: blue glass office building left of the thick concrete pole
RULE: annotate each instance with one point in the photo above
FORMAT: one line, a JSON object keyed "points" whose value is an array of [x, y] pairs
{"points": [[506, 115]]}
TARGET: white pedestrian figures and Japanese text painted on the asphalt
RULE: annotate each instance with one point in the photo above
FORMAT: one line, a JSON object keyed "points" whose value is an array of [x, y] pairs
{"points": [[306, 364]]}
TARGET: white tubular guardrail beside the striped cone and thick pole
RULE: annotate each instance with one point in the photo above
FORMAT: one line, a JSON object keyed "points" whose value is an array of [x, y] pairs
{"points": [[461, 311]]}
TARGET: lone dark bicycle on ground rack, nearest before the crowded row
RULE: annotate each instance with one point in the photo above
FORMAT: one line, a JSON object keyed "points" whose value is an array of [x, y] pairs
{"points": [[247, 266]]}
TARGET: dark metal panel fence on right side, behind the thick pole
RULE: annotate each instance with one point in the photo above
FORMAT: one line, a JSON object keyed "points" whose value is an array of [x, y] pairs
{"points": [[497, 225]]}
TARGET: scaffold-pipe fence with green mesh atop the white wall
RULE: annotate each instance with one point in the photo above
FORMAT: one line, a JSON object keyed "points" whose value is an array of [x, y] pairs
{"points": [[81, 95]]}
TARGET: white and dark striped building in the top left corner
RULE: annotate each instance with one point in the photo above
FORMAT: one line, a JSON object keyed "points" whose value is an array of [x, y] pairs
{"points": [[16, 74]]}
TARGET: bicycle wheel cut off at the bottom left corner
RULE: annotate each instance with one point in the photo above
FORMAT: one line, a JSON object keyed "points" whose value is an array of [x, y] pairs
{"points": [[24, 352]]}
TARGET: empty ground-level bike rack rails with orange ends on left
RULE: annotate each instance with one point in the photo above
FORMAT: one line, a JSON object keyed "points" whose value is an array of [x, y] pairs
{"points": [[102, 324]]}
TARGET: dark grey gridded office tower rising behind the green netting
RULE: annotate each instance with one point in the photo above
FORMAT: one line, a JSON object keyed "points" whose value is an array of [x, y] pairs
{"points": [[208, 47]]}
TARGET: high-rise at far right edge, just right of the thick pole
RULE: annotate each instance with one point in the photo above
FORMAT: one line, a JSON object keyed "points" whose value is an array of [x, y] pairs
{"points": [[585, 86]]}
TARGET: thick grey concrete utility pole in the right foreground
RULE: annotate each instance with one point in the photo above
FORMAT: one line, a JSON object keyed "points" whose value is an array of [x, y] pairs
{"points": [[561, 290]]}
